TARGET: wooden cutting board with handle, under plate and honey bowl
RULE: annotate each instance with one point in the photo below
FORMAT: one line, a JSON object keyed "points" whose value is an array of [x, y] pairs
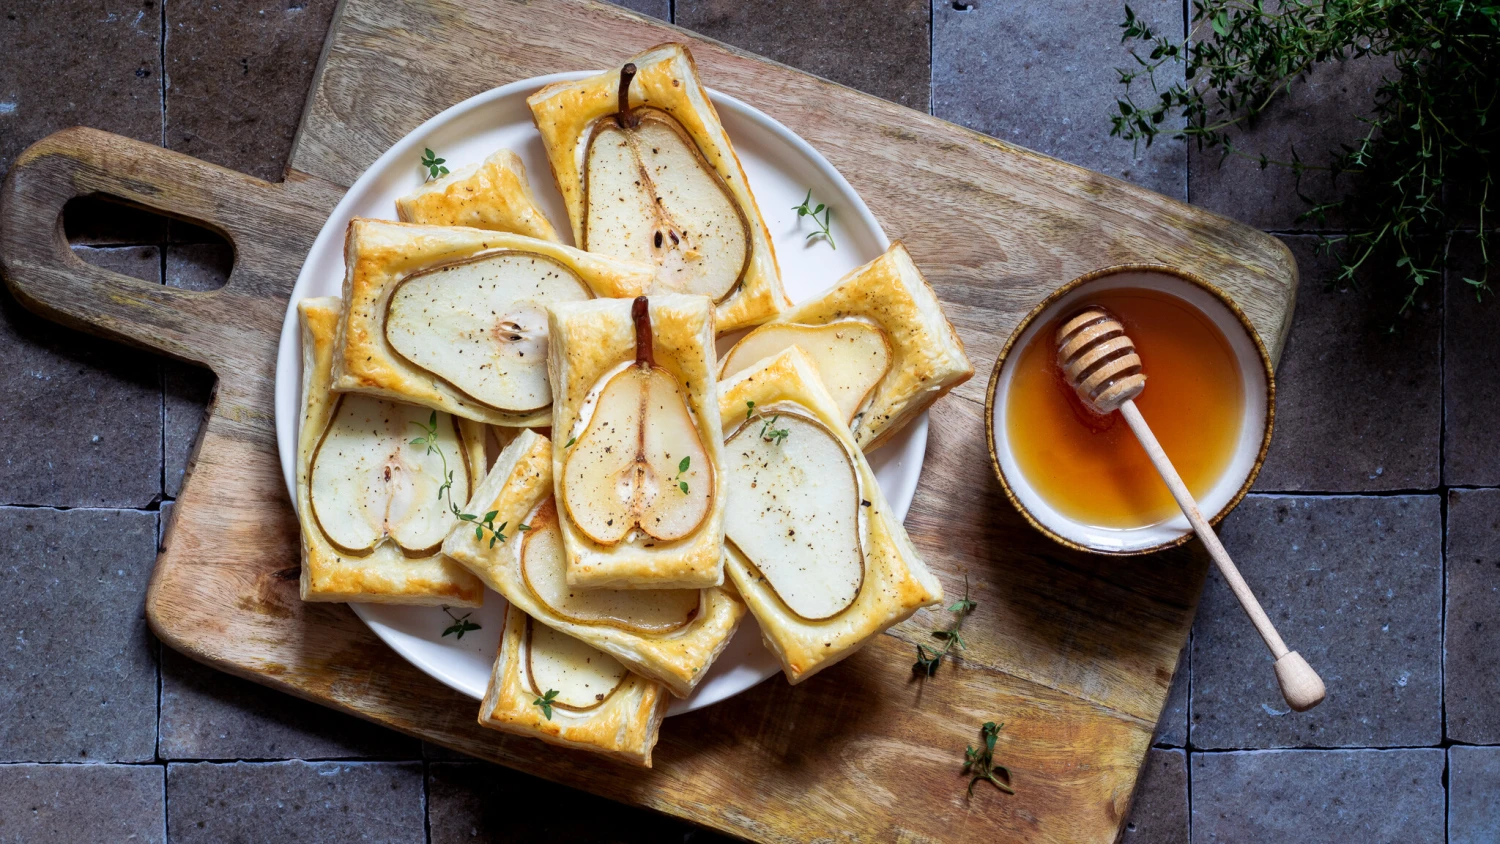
{"points": [[1075, 654]]}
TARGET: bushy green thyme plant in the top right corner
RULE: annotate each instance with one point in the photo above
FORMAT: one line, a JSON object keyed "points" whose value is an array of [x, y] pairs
{"points": [[1423, 169]]}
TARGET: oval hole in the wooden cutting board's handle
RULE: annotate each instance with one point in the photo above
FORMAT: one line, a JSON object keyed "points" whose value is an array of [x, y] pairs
{"points": [[125, 238]]}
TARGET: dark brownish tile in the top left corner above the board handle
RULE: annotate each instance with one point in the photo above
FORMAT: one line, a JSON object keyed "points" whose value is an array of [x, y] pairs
{"points": [[88, 64]]}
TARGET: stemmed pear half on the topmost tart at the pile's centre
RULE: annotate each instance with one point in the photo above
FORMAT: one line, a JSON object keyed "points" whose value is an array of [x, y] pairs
{"points": [[641, 461]]}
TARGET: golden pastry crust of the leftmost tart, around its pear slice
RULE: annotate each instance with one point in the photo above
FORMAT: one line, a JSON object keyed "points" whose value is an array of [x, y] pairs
{"points": [[385, 576]]}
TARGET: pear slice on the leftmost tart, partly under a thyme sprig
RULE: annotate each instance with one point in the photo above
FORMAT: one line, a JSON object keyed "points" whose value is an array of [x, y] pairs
{"points": [[370, 482]]}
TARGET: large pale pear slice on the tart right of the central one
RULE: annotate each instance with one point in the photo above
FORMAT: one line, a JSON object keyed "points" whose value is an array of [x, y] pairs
{"points": [[794, 509]]}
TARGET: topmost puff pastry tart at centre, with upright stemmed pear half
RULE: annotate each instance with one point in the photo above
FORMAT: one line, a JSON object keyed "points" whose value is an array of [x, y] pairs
{"points": [[640, 497]]}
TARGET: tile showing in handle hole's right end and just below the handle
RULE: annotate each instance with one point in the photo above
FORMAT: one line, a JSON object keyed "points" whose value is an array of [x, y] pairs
{"points": [[188, 389]]}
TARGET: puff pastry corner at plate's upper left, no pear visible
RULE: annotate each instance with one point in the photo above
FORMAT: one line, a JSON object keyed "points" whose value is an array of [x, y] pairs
{"points": [[493, 196]]}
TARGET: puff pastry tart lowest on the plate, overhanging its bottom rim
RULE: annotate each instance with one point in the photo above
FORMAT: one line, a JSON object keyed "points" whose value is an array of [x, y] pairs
{"points": [[599, 705]]}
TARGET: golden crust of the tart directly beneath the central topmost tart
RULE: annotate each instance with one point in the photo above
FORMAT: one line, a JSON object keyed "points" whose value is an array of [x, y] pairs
{"points": [[517, 488]]}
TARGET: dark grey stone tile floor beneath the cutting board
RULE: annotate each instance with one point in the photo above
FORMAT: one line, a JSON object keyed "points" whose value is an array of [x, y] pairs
{"points": [[1372, 525]]}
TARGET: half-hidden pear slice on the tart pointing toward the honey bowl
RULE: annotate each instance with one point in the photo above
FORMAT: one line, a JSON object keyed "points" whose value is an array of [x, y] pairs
{"points": [[851, 358]]}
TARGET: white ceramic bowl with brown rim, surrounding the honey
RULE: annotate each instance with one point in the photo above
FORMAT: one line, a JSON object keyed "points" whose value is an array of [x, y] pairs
{"points": [[1250, 450]]}
